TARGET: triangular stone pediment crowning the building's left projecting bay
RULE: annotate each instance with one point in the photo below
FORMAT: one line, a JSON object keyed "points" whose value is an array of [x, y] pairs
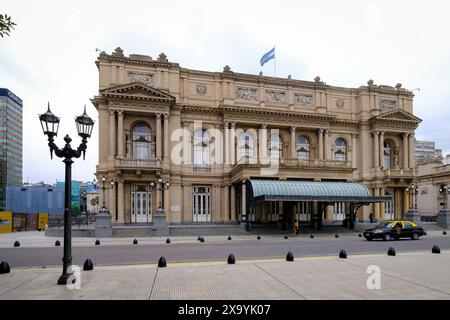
{"points": [[139, 91]]}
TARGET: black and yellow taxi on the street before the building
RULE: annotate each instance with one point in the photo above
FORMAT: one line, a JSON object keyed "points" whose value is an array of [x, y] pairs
{"points": [[394, 230]]}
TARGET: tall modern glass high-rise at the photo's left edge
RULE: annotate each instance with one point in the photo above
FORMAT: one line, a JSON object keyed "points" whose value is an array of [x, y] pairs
{"points": [[10, 142]]}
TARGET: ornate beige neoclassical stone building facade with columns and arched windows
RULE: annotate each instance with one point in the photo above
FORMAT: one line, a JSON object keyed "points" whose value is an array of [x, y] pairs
{"points": [[205, 134]]}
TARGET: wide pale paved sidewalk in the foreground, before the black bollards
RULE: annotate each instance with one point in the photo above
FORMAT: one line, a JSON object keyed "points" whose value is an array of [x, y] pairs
{"points": [[406, 276]]}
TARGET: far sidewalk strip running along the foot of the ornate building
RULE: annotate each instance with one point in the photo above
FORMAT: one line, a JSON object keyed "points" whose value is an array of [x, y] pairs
{"points": [[36, 239]]}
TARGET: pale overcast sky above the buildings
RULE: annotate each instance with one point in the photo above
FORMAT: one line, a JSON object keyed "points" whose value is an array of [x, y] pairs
{"points": [[50, 55]]}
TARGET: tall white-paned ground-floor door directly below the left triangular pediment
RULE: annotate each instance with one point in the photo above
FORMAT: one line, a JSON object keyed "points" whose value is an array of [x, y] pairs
{"points": [[141, 204]]}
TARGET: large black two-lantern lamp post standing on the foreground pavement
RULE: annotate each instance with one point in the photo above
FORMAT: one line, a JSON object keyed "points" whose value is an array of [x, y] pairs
{"points": [[50, 125]]}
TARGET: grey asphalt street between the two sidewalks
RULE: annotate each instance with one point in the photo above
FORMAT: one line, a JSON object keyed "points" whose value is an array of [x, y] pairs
{"points": [[188, 252]]}
